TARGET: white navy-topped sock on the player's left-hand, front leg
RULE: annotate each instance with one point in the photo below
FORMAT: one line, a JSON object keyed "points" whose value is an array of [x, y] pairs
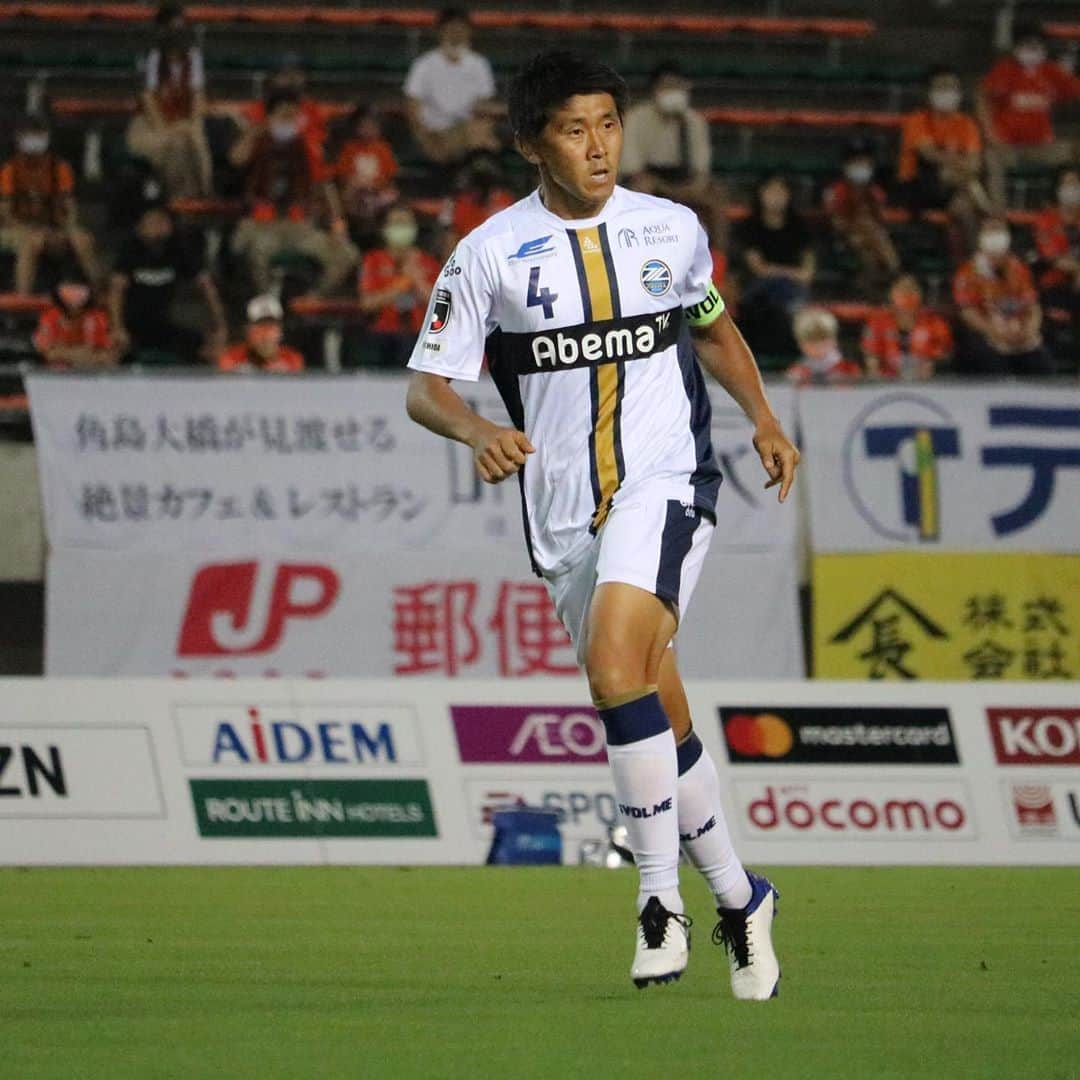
{"points": [[642, 754]]}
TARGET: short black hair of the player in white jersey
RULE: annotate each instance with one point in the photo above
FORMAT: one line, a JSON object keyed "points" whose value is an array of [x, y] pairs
{"points": [[552, 77]]}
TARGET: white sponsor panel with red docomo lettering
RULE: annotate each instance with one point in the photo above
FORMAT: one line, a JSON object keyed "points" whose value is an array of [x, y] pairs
{"points": [[856, 811]]}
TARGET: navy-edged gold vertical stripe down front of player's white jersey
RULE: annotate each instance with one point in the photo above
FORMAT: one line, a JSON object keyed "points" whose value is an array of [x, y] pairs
{"points": [[600, 294]]}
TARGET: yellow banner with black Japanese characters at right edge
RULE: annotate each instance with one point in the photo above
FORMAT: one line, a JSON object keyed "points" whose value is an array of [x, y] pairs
{"points": [[914, 615]]}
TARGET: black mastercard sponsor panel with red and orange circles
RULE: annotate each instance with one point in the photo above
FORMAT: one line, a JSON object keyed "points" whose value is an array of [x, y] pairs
{"points": [[793, 735]]}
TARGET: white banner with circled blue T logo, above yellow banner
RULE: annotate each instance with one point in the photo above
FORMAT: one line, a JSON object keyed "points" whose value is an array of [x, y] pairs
{"points": [[943, 468]]}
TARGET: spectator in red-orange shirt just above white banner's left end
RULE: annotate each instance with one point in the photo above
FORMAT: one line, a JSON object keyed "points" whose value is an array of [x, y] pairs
{"points": [[74, 333]]}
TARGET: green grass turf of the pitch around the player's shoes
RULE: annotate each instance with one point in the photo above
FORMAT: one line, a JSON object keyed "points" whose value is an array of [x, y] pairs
{"points": [[508, 974]]}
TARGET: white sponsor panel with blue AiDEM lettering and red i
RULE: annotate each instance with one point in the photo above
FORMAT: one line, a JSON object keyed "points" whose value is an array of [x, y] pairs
{"points": [[267, 735]]}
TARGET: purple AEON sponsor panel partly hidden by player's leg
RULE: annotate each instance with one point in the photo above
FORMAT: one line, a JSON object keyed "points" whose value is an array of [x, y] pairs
{"points": [[529, 735]]}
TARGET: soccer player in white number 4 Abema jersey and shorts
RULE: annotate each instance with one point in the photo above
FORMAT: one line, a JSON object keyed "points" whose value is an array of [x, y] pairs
{"points": [[591, 303]]}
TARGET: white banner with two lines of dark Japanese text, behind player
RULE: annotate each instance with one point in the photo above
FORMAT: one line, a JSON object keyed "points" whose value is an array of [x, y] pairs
{"points": [[329, 464]]}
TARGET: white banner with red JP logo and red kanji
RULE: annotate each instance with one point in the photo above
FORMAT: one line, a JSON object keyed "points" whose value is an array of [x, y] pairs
{"points": [[403, 614]]}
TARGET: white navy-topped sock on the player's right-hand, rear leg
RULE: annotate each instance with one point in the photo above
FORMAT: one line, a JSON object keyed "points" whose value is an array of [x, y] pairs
{"points": [[704, 829]]}
